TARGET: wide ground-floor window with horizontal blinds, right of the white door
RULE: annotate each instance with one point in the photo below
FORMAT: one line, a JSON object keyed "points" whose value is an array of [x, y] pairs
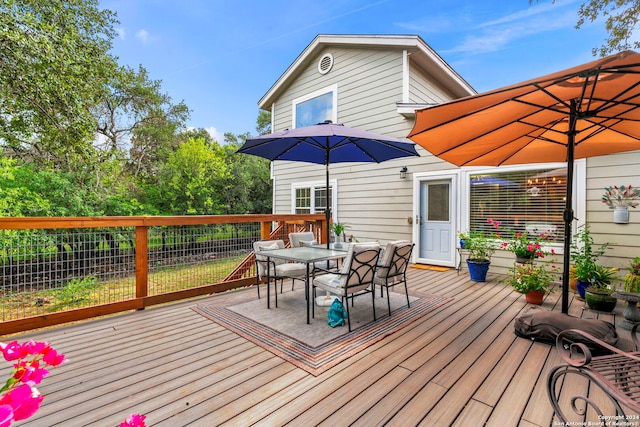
{"points": [[530, 201]]}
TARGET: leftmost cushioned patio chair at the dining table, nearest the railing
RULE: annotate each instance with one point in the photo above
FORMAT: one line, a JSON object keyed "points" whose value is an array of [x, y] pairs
{"points": [[278, 269]]}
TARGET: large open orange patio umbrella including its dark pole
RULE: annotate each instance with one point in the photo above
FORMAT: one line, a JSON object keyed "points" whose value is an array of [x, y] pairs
{"points": [[584, 111]]}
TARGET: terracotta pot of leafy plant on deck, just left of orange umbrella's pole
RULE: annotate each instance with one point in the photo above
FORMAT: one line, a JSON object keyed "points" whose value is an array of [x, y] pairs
{"points": [[533, 280]]}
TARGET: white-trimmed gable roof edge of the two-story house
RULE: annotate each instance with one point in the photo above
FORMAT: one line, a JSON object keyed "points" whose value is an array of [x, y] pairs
{"points": [[421, 54]]}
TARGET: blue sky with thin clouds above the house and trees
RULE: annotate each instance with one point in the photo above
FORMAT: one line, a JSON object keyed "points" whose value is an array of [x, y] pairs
{"points": [[221, 56]]}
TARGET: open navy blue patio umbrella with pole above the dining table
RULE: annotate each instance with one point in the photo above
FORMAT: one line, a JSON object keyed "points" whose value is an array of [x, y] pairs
{"points": [[326, 143]]}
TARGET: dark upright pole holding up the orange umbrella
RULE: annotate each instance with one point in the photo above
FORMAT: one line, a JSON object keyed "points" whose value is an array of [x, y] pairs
{"points": [[568, 210]]}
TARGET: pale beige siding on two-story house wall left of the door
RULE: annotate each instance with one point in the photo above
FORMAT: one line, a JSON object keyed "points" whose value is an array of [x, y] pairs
{"points": [[371, 197]]}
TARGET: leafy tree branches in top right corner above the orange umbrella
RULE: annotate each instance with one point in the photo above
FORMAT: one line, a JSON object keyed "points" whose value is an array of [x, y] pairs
{"points": [[621, 22]]}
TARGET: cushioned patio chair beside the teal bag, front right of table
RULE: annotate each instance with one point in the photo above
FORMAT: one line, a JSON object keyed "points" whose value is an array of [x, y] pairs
{"points": [[354, 278]]}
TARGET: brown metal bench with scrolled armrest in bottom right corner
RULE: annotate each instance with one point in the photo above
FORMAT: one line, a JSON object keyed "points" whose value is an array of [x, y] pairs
{"points": [[617, 374]]}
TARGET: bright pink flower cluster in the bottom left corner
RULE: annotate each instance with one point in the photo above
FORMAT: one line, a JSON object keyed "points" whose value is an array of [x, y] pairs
{"points": [[20, 398]]}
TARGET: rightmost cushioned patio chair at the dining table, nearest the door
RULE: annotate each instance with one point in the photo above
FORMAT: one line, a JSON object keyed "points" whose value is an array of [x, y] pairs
{"points": [[392, 268]]}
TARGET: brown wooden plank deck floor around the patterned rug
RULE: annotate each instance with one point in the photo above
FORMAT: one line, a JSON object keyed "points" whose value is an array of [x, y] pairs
{"points": [[458, 365]]}
